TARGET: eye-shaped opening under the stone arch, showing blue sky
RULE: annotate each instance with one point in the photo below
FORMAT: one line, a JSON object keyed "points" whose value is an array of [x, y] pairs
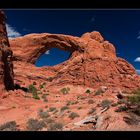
{"points": [[52, 57]]}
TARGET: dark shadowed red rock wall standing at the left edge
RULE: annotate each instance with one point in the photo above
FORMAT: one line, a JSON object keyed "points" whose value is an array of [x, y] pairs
{"points": [[6, 65]]}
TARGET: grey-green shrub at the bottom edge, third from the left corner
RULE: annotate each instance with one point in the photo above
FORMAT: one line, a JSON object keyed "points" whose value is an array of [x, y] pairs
{"points": [[55, 126]]}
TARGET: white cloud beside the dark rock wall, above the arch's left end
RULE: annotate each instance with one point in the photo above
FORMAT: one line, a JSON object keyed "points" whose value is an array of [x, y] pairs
{"points": [[12, 33]]}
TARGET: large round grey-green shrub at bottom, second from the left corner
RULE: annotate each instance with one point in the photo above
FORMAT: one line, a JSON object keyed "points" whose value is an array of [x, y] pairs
{"points": [[35, 125]]}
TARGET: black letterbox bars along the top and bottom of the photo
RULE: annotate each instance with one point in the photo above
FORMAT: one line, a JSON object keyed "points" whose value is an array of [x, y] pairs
{"points": [[71, 4]]}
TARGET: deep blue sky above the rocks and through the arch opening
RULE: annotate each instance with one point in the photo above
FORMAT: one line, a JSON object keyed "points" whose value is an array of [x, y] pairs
{"points": [[120, 27]]}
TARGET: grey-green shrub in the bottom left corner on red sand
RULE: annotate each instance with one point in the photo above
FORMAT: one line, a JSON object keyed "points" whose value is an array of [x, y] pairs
{"points": [[8, 126]]}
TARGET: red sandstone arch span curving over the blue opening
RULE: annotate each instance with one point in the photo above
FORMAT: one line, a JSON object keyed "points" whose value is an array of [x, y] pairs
{"points": [[30, 47]]}
